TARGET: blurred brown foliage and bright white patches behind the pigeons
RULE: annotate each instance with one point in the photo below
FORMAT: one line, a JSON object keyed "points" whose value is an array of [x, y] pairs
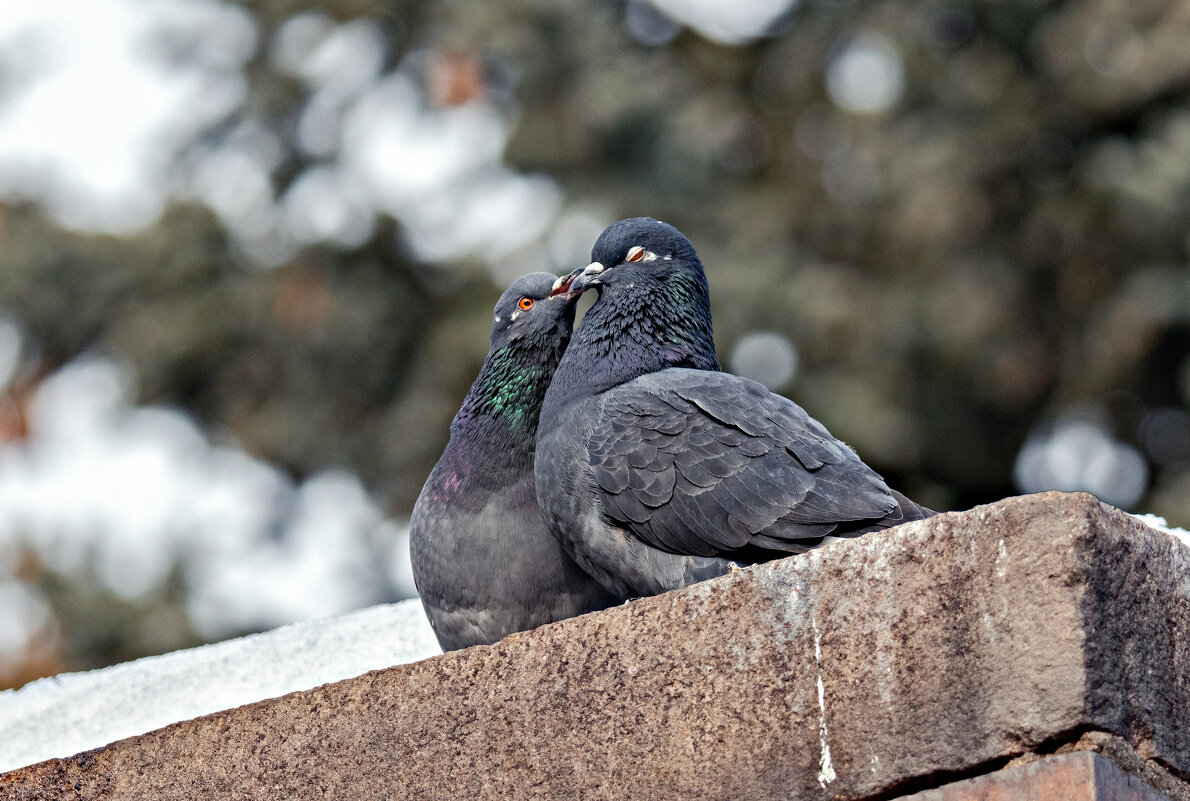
{"points": [[249, 254]]}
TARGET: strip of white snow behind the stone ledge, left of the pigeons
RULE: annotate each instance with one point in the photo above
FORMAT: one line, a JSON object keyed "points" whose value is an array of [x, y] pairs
{"points": [[66, 715]]}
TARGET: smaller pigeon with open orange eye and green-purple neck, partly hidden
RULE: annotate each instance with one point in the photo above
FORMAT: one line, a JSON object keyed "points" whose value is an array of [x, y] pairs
{"points": [[484, 561]]}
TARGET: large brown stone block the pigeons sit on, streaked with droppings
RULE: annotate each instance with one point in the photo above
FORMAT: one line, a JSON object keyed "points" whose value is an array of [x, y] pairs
{"points": [[894, 664]]}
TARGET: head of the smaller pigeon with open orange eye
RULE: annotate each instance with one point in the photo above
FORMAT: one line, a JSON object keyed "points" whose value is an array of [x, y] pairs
{"points": [[530, 311]]}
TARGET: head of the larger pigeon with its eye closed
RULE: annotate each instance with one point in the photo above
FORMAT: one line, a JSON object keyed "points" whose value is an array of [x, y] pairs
{"points": [[641, 252]]}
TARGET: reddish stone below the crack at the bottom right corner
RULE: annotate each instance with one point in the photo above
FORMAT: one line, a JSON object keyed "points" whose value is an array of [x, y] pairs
{"points": [[1069, 778]]}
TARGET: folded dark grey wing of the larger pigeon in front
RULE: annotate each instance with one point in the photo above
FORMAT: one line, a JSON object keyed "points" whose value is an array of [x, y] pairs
{"points": [[706, 464]]}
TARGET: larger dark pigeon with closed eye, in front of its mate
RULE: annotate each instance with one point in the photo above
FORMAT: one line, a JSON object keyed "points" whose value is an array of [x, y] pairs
{"points": [[655, 470]]}
